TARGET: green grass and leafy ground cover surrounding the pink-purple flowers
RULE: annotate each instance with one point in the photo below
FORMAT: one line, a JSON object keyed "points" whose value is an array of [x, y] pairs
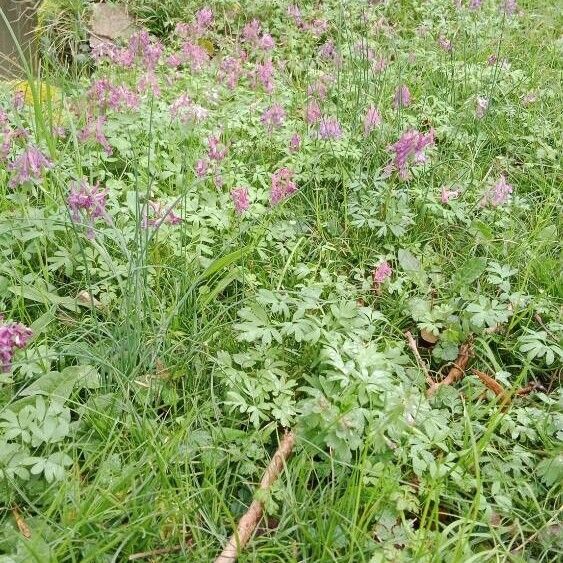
{"points": [[159, 458]]}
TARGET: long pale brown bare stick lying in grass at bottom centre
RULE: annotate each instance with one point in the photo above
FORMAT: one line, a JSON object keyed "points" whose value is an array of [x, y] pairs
{"points": [[247, 524]]}
